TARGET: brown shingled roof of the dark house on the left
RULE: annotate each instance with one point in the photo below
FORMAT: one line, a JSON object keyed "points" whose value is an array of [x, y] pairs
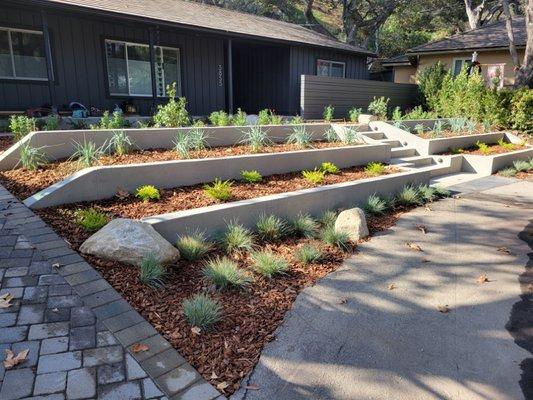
{"points": [[192, 14]]}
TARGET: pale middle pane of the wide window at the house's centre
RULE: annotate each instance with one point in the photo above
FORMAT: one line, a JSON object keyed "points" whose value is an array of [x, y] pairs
{"points": [[140, 79]]}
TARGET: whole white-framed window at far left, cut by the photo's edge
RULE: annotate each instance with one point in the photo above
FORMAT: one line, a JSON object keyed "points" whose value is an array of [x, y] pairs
{"points": [[22, 54]]}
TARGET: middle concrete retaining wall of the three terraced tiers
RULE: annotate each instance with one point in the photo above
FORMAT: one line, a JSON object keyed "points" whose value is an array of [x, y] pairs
{"points": [[99, 183]]}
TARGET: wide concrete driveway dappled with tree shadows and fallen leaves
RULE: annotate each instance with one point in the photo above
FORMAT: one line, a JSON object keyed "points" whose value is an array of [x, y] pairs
{"points": [[352, 337]]}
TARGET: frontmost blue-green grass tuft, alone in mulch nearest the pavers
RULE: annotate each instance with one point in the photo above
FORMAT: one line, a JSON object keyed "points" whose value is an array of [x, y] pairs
{"points": [[201, 311]]}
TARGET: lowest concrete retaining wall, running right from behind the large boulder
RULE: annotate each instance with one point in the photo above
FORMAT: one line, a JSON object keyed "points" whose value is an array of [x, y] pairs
{"points": [[314, 201]]}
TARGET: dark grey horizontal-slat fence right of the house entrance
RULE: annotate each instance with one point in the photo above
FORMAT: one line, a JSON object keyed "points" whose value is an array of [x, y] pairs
{"points": [[319, 91]]}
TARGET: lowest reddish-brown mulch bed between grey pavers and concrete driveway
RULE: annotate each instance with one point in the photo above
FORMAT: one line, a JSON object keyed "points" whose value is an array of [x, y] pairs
{"points": [[229, 352]]}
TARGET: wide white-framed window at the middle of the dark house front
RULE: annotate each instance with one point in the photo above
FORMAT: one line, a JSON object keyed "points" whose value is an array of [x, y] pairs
{"points": [[129, 70]]}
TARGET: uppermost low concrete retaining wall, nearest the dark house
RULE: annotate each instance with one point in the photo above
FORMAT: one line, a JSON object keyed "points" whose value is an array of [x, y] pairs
{"points": [[58, 145]]}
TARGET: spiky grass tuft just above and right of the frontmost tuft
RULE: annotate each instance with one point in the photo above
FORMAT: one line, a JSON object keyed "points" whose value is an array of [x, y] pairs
{"points": [[225, 274]]}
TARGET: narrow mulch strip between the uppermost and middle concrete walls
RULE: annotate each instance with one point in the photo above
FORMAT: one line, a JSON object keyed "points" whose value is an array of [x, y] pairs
{"points": [[25, 183]]}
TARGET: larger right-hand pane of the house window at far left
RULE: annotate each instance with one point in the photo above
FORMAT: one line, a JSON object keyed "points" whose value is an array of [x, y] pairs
{"points": [[28, 55]]}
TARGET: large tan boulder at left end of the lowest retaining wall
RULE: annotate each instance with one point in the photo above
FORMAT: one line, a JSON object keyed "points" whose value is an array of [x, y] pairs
{"points": [[129, 241]]}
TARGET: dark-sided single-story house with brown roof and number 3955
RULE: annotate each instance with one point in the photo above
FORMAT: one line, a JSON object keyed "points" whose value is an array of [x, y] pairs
{"points": [[106, 52]]}
